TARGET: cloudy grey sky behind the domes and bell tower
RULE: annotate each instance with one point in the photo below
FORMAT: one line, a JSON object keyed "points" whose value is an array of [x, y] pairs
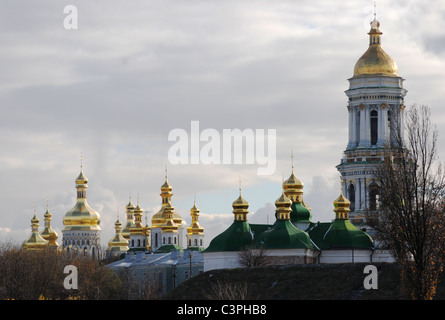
{"points": [[113, 90]]}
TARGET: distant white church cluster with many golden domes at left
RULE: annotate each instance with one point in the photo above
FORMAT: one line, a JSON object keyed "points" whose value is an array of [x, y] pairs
{"points": [[81, 233]]}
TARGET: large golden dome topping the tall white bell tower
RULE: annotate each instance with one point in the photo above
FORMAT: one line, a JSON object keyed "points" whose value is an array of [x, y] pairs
{"points": [[375, 60]]}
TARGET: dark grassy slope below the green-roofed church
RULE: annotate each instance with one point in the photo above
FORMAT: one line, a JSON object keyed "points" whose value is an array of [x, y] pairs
{"points": [[294, 282]]}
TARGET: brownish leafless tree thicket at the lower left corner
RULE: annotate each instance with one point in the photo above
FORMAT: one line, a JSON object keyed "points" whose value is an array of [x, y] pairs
{"points": [[30, 275]]}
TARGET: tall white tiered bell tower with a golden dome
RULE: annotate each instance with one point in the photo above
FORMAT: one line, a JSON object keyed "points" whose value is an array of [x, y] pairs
{"points": [[376, 109]]}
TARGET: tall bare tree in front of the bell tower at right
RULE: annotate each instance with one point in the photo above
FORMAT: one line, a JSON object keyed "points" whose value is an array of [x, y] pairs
{"points": [[410, 219]]}
